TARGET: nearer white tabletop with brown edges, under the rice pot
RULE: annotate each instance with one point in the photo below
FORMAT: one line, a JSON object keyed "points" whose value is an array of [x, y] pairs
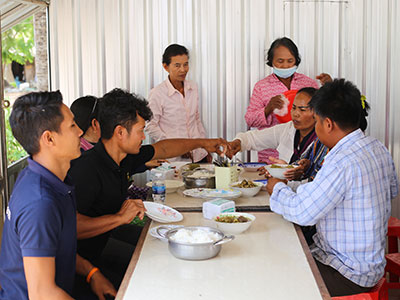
{"points": [[270, 260]]}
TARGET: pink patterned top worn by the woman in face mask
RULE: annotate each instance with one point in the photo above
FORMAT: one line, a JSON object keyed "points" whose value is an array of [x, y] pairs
{"points": [[263, 91]]}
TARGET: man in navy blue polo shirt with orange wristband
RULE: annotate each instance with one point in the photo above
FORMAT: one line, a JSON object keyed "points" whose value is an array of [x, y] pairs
{"points": [[38, 255]]}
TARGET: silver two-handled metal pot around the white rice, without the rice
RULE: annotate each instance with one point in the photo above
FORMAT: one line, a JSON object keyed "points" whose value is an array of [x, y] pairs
{"points": [[195, 251]]}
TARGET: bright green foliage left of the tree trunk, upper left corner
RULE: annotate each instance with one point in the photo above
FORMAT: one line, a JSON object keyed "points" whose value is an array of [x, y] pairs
{"points": [[18, 43]]}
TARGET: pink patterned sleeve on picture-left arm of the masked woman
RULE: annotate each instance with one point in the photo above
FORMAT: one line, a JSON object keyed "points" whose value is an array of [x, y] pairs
{"points": [[255, 116]]}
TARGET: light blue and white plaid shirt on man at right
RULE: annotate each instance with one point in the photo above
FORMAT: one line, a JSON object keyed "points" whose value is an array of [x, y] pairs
{"points": [[349, 201]]}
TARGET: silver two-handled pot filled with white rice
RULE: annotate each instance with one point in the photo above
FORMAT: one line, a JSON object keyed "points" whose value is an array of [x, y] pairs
{"points": [[195, 242]]}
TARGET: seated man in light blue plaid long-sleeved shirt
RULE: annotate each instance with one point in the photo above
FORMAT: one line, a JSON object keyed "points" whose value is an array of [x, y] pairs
{"points": [[349, 199]]}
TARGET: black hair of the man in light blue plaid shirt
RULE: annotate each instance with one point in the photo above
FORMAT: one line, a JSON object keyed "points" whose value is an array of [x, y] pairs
{"points": [[340, 101]]}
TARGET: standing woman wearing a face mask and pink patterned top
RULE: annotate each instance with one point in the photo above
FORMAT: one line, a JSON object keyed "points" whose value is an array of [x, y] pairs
{"points": [[283, 56]]}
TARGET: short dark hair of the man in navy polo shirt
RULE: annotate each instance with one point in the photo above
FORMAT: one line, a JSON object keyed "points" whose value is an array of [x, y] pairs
{"points": [[33, 114]]}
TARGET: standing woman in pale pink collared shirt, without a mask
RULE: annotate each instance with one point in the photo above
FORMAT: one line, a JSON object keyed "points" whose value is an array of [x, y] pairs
{"points": [[174, 103]]}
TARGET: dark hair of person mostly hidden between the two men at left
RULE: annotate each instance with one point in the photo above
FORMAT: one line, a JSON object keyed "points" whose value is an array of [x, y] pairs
{"points": [[85, 109]]}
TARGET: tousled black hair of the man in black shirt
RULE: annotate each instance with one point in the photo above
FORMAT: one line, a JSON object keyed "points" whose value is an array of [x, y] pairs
{"points": [[119, 107]]}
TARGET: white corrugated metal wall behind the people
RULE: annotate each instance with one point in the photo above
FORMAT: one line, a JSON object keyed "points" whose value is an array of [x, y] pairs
{"points": [[97, 45]]}
